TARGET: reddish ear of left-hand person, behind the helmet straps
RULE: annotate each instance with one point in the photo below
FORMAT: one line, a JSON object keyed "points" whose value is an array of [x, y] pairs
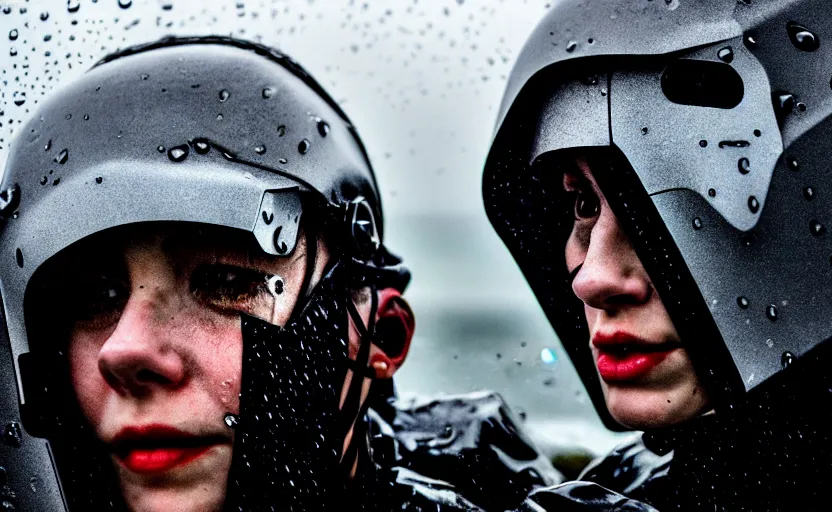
{"points": [[393, 333]]}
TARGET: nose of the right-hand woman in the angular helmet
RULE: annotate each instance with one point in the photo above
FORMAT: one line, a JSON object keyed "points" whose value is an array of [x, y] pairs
{"points": [[611, 276]]}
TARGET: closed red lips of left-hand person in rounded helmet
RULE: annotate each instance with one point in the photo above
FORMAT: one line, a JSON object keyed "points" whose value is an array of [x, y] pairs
{"points": [[159, 448]]}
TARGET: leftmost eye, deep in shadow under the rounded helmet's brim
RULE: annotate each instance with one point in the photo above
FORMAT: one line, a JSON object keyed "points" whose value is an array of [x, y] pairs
{"points": [[98, 300]]}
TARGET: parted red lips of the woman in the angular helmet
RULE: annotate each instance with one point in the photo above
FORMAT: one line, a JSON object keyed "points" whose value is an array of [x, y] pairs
{"points": [[623, 357]]}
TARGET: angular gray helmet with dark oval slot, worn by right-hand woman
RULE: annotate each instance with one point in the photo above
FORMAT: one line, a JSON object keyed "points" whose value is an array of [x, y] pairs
{"points": [[712, 118]]}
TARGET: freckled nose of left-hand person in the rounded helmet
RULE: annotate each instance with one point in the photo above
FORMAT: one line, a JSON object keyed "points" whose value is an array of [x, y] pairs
{"points": [[139, 356]]}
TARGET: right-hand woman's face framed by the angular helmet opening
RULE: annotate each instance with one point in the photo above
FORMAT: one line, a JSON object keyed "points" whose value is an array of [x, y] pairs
{"points": [[646, 376]]}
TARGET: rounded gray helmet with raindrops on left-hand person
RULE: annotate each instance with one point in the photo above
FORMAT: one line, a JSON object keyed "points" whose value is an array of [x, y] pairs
{"points": [[206, 130]]}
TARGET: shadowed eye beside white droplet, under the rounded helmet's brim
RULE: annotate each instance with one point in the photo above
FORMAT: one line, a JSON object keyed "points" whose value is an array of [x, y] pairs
{"points": [[229, 288]]}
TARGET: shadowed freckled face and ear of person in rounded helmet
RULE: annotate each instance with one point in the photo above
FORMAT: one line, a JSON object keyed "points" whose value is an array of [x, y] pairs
{"points": [[155, 350]]}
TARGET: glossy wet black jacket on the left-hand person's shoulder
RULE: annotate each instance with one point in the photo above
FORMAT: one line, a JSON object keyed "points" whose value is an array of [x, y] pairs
{"points": [[466, 453]]}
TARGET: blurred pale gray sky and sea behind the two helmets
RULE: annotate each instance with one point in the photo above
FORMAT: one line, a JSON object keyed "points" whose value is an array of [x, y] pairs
{"points": [[422, 80]]}
